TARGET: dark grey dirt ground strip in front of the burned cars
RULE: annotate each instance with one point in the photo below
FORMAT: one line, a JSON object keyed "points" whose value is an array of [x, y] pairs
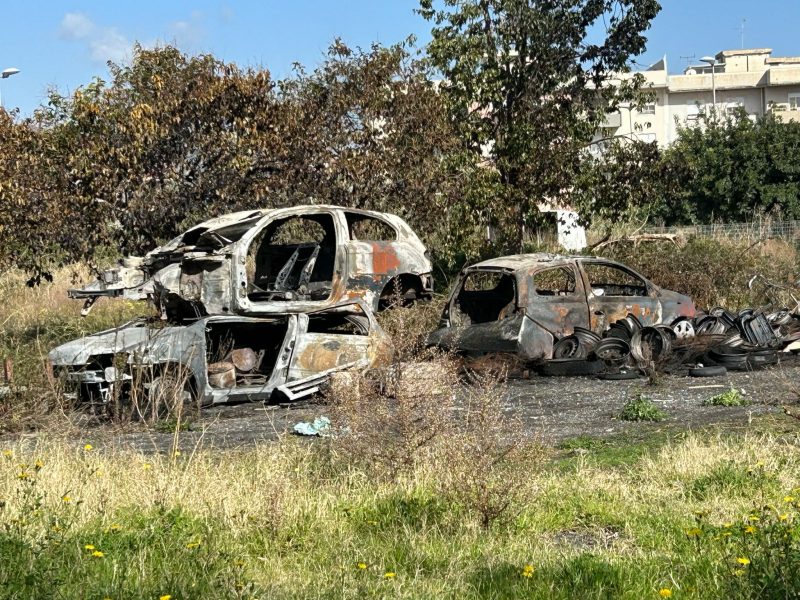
{"points": [[552, 409]]}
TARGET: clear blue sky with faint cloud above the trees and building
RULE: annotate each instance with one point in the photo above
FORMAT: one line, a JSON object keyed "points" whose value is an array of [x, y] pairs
{"points": [[63, 44]]}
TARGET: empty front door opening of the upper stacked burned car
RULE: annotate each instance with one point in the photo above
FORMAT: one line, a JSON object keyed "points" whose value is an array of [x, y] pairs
{"points": [[293, 259]]}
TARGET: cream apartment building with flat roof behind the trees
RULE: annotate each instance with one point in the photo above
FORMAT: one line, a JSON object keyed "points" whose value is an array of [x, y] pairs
{"points": [[752, 79]]}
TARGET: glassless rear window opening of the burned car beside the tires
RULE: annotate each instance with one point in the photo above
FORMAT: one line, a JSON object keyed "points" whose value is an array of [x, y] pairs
{"points": [[485, 296]]}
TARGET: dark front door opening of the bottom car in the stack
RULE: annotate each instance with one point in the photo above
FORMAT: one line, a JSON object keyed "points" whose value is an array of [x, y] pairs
{"points": [[243, 354]]}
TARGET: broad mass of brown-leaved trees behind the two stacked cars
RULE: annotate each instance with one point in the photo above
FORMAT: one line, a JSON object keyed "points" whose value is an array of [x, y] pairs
{"points": [[173, 139]]}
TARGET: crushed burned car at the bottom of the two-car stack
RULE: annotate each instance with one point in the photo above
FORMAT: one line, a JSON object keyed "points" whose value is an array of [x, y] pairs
{"points": [[221, 358]]}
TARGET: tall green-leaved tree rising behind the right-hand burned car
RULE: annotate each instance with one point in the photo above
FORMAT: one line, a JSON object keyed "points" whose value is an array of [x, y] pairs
{"points": [[528, 82]]}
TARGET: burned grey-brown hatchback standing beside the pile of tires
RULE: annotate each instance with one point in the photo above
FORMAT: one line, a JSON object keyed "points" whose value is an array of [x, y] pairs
{"points": [[524, 303]]}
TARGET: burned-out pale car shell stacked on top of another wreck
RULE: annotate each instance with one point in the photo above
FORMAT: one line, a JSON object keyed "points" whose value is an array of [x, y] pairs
{"points": [[266, 262]]}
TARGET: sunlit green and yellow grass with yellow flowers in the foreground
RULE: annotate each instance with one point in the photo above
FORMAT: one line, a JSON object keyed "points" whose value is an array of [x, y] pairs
{"points": [[700, 516]]}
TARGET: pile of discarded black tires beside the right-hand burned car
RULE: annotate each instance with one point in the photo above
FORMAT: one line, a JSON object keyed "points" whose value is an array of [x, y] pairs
{"points": [[708, 345]]}
